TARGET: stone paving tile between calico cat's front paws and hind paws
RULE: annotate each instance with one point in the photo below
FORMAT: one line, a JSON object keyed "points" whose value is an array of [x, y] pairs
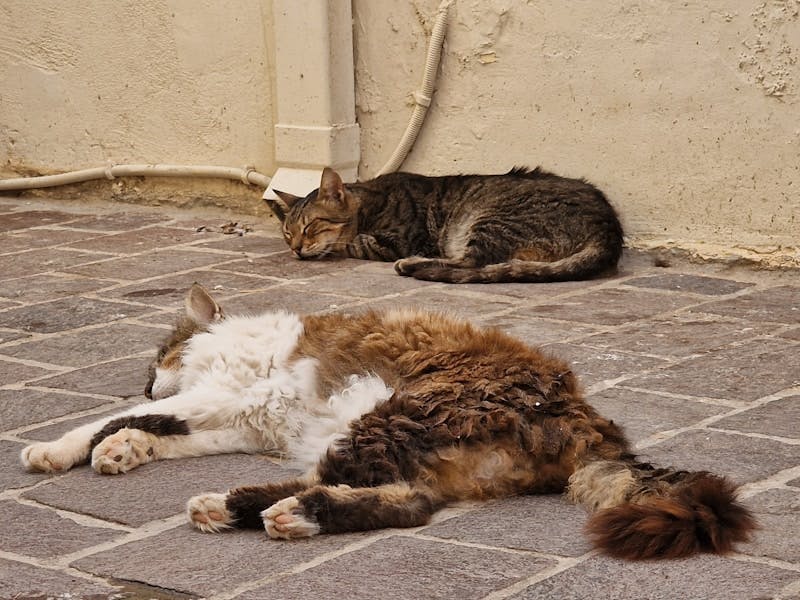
{"points": [[169, 485]]}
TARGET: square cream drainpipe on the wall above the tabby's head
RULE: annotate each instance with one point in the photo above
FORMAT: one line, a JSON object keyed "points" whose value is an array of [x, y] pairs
{"points": [[316, 121]]}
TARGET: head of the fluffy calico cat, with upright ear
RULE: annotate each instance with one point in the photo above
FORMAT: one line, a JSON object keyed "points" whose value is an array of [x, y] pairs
{"points": [[163, 375]]}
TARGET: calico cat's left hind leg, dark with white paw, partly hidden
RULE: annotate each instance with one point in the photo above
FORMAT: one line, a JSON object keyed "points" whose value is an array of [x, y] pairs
{"points": [[241, 507]]}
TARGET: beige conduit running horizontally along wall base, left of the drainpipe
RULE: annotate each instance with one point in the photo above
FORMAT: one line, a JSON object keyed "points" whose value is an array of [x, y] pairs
{"points": [[246, 175]]}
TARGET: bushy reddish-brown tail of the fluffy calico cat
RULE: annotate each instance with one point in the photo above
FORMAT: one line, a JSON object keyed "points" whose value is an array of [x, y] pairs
{"points": [[642, 512]]}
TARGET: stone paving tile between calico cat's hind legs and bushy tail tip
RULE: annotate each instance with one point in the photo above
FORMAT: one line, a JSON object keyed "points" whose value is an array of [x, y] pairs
{"points": [[540, 523]]}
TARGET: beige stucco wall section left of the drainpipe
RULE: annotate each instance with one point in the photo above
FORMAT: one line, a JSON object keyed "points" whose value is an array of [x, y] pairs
{"points": [[86, 82]]}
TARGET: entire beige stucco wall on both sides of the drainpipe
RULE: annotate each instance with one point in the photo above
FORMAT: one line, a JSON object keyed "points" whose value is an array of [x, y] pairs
{"points": [[685, 113]]}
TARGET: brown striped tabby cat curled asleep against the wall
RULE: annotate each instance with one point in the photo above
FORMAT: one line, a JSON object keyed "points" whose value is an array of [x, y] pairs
{"points": [[524, 226]]}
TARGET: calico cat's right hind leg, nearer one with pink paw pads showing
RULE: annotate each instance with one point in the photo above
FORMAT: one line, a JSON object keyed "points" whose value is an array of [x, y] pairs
{"points": [[340, 508]]}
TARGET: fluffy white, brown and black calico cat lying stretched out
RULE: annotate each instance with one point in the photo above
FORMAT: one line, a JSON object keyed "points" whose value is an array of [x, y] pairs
{"points": [[393, 415]]}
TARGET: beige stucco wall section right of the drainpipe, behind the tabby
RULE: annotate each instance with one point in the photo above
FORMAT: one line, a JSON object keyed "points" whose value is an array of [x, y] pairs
{"points": [[686, 114]]}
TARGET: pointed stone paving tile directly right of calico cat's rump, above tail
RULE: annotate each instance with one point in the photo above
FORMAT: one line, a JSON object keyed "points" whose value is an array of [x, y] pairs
{"points": [[642, 414]]}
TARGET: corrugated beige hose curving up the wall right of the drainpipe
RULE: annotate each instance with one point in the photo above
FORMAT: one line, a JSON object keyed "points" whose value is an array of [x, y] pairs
{"points": [[422, 97]]}
